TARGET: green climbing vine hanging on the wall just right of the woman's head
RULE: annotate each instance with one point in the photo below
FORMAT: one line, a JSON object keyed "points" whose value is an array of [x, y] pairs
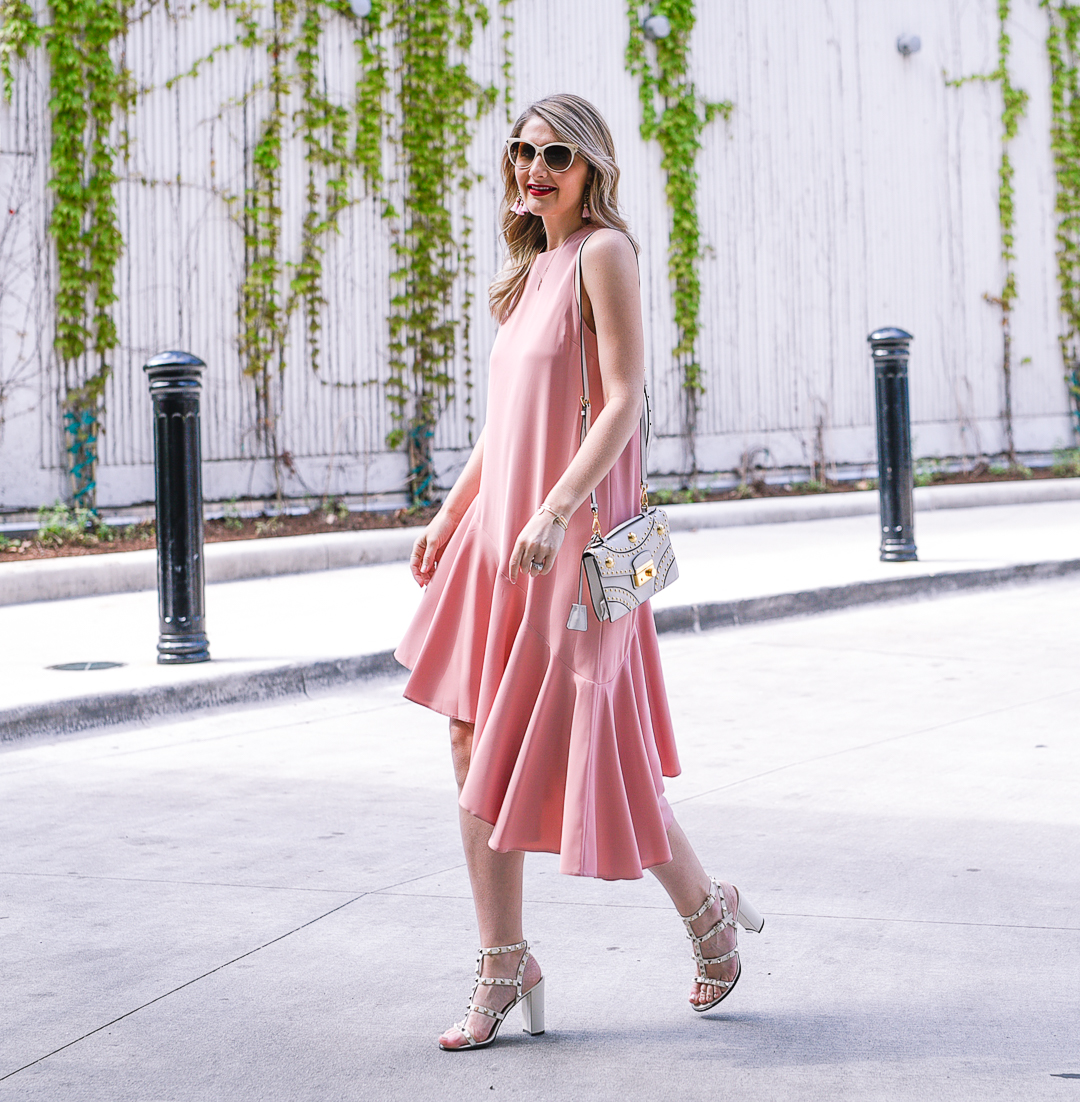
{"points": [[677, 125]]}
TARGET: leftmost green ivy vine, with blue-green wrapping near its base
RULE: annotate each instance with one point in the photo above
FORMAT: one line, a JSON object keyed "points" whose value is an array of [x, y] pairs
{"points": [[89, 93]]}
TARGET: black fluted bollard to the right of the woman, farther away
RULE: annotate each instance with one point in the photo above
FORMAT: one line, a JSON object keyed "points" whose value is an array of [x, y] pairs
{"points": [[889, 350]]}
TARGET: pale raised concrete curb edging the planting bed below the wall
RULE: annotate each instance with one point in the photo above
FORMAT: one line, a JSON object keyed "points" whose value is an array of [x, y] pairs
{"points": [[134, 571]]}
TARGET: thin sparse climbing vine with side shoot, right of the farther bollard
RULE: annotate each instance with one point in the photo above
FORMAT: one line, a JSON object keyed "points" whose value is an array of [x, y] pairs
{"points": [[1014, 102]]}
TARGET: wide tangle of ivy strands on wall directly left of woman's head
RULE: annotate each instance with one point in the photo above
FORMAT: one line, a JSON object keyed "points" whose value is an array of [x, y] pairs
{"points": [[438, 103]]}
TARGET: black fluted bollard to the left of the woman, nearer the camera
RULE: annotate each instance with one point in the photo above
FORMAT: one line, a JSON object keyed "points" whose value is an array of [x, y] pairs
{"points": [[176, 383]]}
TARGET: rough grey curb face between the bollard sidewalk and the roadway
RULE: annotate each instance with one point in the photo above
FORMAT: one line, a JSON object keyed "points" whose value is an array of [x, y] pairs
{"points": [[79, 715]]}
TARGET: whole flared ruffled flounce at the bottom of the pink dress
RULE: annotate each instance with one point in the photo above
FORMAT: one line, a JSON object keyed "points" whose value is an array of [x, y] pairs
{"points": [[561, 763]]}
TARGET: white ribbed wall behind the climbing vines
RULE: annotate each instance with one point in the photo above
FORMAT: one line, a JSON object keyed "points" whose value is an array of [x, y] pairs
{"points": [[851, 189]]}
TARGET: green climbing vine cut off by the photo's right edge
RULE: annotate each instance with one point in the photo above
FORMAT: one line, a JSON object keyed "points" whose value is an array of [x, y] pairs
{"points": [[1063, 45]]}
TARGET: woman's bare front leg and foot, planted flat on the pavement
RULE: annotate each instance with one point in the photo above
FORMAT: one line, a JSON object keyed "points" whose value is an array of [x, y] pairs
{"points": [[496, 882]]}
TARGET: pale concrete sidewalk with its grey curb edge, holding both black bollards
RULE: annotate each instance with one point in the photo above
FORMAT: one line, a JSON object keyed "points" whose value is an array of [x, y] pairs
{"points": [[280, 636]]}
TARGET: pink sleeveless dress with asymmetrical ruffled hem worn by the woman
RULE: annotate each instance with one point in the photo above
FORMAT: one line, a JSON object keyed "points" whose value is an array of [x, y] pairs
{"points": [[573, 729]]}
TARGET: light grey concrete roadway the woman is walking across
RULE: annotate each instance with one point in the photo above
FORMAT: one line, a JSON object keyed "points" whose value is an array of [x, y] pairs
{"points": [[231, 907]]}
